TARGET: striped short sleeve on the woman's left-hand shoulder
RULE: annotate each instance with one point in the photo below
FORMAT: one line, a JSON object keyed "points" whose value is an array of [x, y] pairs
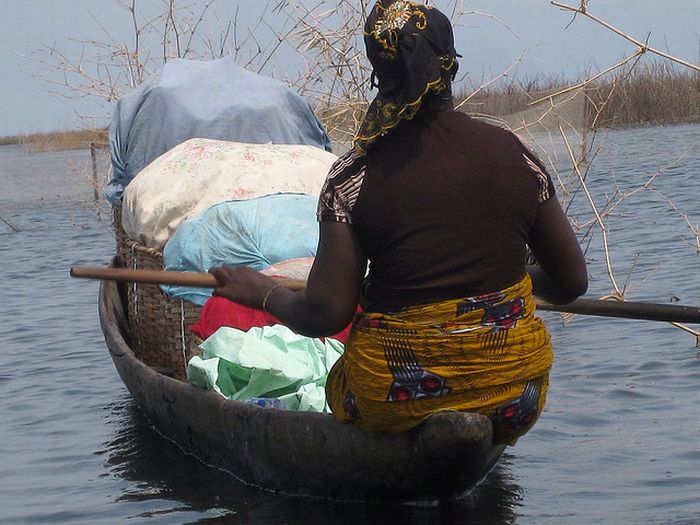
{"points": [[339, 193]]}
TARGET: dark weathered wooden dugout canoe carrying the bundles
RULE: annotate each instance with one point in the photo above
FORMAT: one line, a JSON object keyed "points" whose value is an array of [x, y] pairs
{"points": [[302, 453]]}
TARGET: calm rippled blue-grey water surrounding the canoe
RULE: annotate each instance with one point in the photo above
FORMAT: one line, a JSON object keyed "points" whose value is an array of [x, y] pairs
{"points": [[619, 441]]}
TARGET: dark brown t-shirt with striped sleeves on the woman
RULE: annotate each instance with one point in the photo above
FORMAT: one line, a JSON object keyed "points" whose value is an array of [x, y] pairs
{"points": [[442, 207]]}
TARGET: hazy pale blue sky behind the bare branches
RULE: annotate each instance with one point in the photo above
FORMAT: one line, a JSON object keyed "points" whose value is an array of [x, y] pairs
{"points": [[489, 44]]}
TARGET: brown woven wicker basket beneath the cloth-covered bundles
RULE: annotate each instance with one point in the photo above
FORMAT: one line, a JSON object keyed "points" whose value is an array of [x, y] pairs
{"points": [[159, 325]]}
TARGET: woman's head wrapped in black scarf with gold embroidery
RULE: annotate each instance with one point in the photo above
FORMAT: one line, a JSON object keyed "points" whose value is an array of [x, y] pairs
{"points": [[411, 49]]}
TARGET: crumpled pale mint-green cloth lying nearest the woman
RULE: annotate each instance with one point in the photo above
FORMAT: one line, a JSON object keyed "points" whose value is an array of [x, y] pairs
{"points": [[271, 362]]}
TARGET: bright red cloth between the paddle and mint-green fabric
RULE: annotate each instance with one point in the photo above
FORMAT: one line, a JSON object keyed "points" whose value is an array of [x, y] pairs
{"points": [[218, 312]]}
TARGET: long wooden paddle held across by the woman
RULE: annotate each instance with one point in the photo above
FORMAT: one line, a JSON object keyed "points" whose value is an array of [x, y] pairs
{"points": [[627, 310]]}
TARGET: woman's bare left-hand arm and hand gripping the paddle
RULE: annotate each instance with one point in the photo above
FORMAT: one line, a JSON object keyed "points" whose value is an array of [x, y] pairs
{"points": [[330, 299]]}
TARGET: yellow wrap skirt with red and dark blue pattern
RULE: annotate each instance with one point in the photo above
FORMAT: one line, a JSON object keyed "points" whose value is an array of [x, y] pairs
{"points": [[487, 354]]}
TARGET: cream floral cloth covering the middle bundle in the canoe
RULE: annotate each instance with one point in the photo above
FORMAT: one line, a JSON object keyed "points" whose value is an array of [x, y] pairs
{"points": [[199, 173]]}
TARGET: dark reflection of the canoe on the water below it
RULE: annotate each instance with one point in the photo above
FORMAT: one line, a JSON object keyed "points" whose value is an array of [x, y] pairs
{"points": [[177, 484]]}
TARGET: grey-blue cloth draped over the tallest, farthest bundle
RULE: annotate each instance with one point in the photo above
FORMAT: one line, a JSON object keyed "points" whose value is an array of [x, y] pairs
{"points": [[215, 99]]}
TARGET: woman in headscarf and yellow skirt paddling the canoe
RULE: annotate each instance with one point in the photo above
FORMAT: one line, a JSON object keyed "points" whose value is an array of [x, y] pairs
{"points": [[444, 208]]}
